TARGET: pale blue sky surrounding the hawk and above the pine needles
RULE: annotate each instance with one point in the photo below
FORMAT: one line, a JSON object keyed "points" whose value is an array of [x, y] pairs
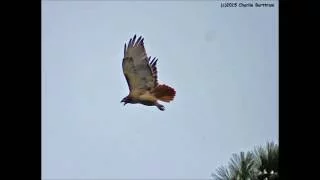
{"points": [[223, 63]]}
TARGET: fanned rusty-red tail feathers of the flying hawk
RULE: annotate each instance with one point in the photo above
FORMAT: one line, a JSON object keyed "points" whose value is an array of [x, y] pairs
{"points": [[164, 93]]}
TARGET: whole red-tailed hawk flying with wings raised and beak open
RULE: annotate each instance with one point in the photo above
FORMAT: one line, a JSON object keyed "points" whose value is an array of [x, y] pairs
{"points": [[140, 72]]}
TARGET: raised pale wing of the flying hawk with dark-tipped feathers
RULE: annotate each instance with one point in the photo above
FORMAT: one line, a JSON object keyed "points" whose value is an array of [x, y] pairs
{"points": [[139, 70]]}
